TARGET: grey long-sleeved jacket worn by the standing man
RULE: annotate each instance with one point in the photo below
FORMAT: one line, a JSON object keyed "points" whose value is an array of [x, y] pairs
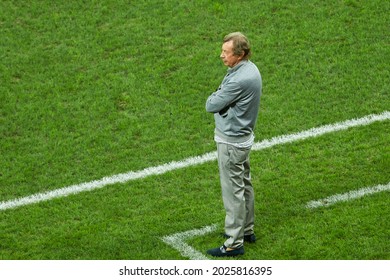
{"points": [[236, 102]]}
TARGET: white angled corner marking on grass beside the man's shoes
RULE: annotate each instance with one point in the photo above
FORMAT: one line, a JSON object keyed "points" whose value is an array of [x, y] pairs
{"points": [[177, 241]]}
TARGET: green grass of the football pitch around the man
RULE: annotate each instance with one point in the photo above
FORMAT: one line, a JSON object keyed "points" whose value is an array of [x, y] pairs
{"points": [[95, 88]]}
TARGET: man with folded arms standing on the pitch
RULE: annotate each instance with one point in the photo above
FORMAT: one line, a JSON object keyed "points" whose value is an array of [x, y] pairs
{"points": [[235, 105]]}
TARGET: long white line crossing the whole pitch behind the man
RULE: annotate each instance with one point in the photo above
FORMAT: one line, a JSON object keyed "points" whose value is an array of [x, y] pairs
{"points": [[134, 175]]}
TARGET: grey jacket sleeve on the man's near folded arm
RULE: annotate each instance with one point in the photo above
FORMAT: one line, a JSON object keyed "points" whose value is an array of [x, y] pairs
{"points": [[223, 97]]}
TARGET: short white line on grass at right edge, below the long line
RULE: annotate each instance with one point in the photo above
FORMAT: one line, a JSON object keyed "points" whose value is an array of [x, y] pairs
{"points": [[347, 196]]}
